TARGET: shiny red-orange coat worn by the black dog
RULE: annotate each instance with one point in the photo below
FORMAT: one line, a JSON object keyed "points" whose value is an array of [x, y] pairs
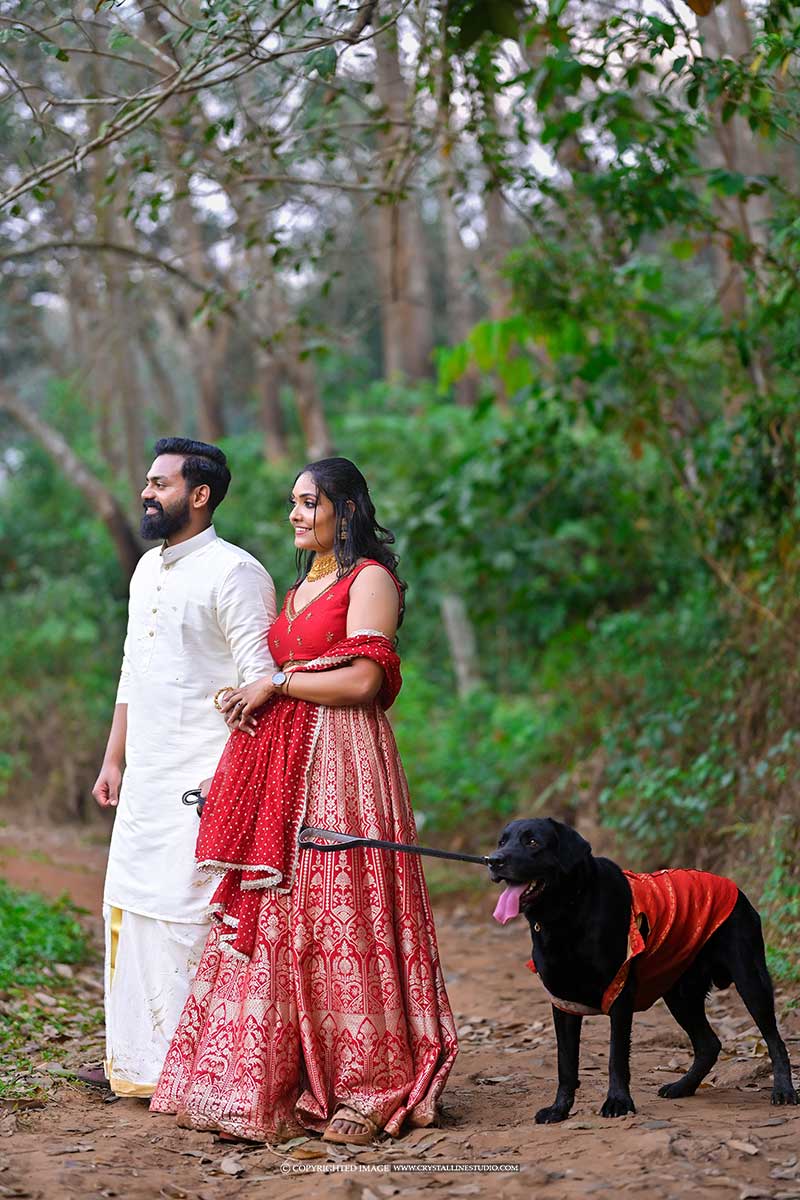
{"points": [[683, 909]]}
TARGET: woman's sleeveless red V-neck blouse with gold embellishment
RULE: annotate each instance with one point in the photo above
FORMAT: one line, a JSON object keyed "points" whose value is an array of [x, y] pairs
{"points": [[299, 637]]}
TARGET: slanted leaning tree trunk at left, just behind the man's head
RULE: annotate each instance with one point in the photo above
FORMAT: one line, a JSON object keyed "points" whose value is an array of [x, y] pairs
{"points": [[109, 508]]}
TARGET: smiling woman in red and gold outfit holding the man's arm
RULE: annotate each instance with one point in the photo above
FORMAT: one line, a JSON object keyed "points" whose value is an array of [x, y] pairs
{"points": [[320, 1003]]}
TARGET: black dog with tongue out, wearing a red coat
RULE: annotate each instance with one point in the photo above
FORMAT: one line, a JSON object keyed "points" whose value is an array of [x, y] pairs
{"points": [[580, 910]]}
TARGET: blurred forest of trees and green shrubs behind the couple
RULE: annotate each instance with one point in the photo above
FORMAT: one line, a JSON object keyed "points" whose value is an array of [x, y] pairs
{"points": [[534, 267]]}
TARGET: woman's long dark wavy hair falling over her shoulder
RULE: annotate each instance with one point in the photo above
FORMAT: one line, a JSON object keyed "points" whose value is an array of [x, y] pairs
{"points": [[358, 532]]}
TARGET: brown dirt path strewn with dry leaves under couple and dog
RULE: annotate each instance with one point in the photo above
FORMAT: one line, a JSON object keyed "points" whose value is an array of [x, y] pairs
{"points": [[726, 1142]]}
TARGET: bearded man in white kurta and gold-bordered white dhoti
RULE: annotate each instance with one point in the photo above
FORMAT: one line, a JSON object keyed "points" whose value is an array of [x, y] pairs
{"points": [[199, 616]]}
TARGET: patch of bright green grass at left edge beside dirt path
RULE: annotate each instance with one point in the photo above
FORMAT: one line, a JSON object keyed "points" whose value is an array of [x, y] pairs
{"points": [[34, 935]]}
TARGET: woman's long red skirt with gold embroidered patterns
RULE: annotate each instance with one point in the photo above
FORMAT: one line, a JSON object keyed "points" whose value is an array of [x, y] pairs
{"points": [[344, 999]]}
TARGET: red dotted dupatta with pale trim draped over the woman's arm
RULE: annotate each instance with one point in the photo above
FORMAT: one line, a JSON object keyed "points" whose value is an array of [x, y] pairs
{"points": [[257, 801]]}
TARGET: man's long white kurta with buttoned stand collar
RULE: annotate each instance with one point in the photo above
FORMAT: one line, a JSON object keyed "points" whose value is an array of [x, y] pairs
{"points": [[199, 620]]}
